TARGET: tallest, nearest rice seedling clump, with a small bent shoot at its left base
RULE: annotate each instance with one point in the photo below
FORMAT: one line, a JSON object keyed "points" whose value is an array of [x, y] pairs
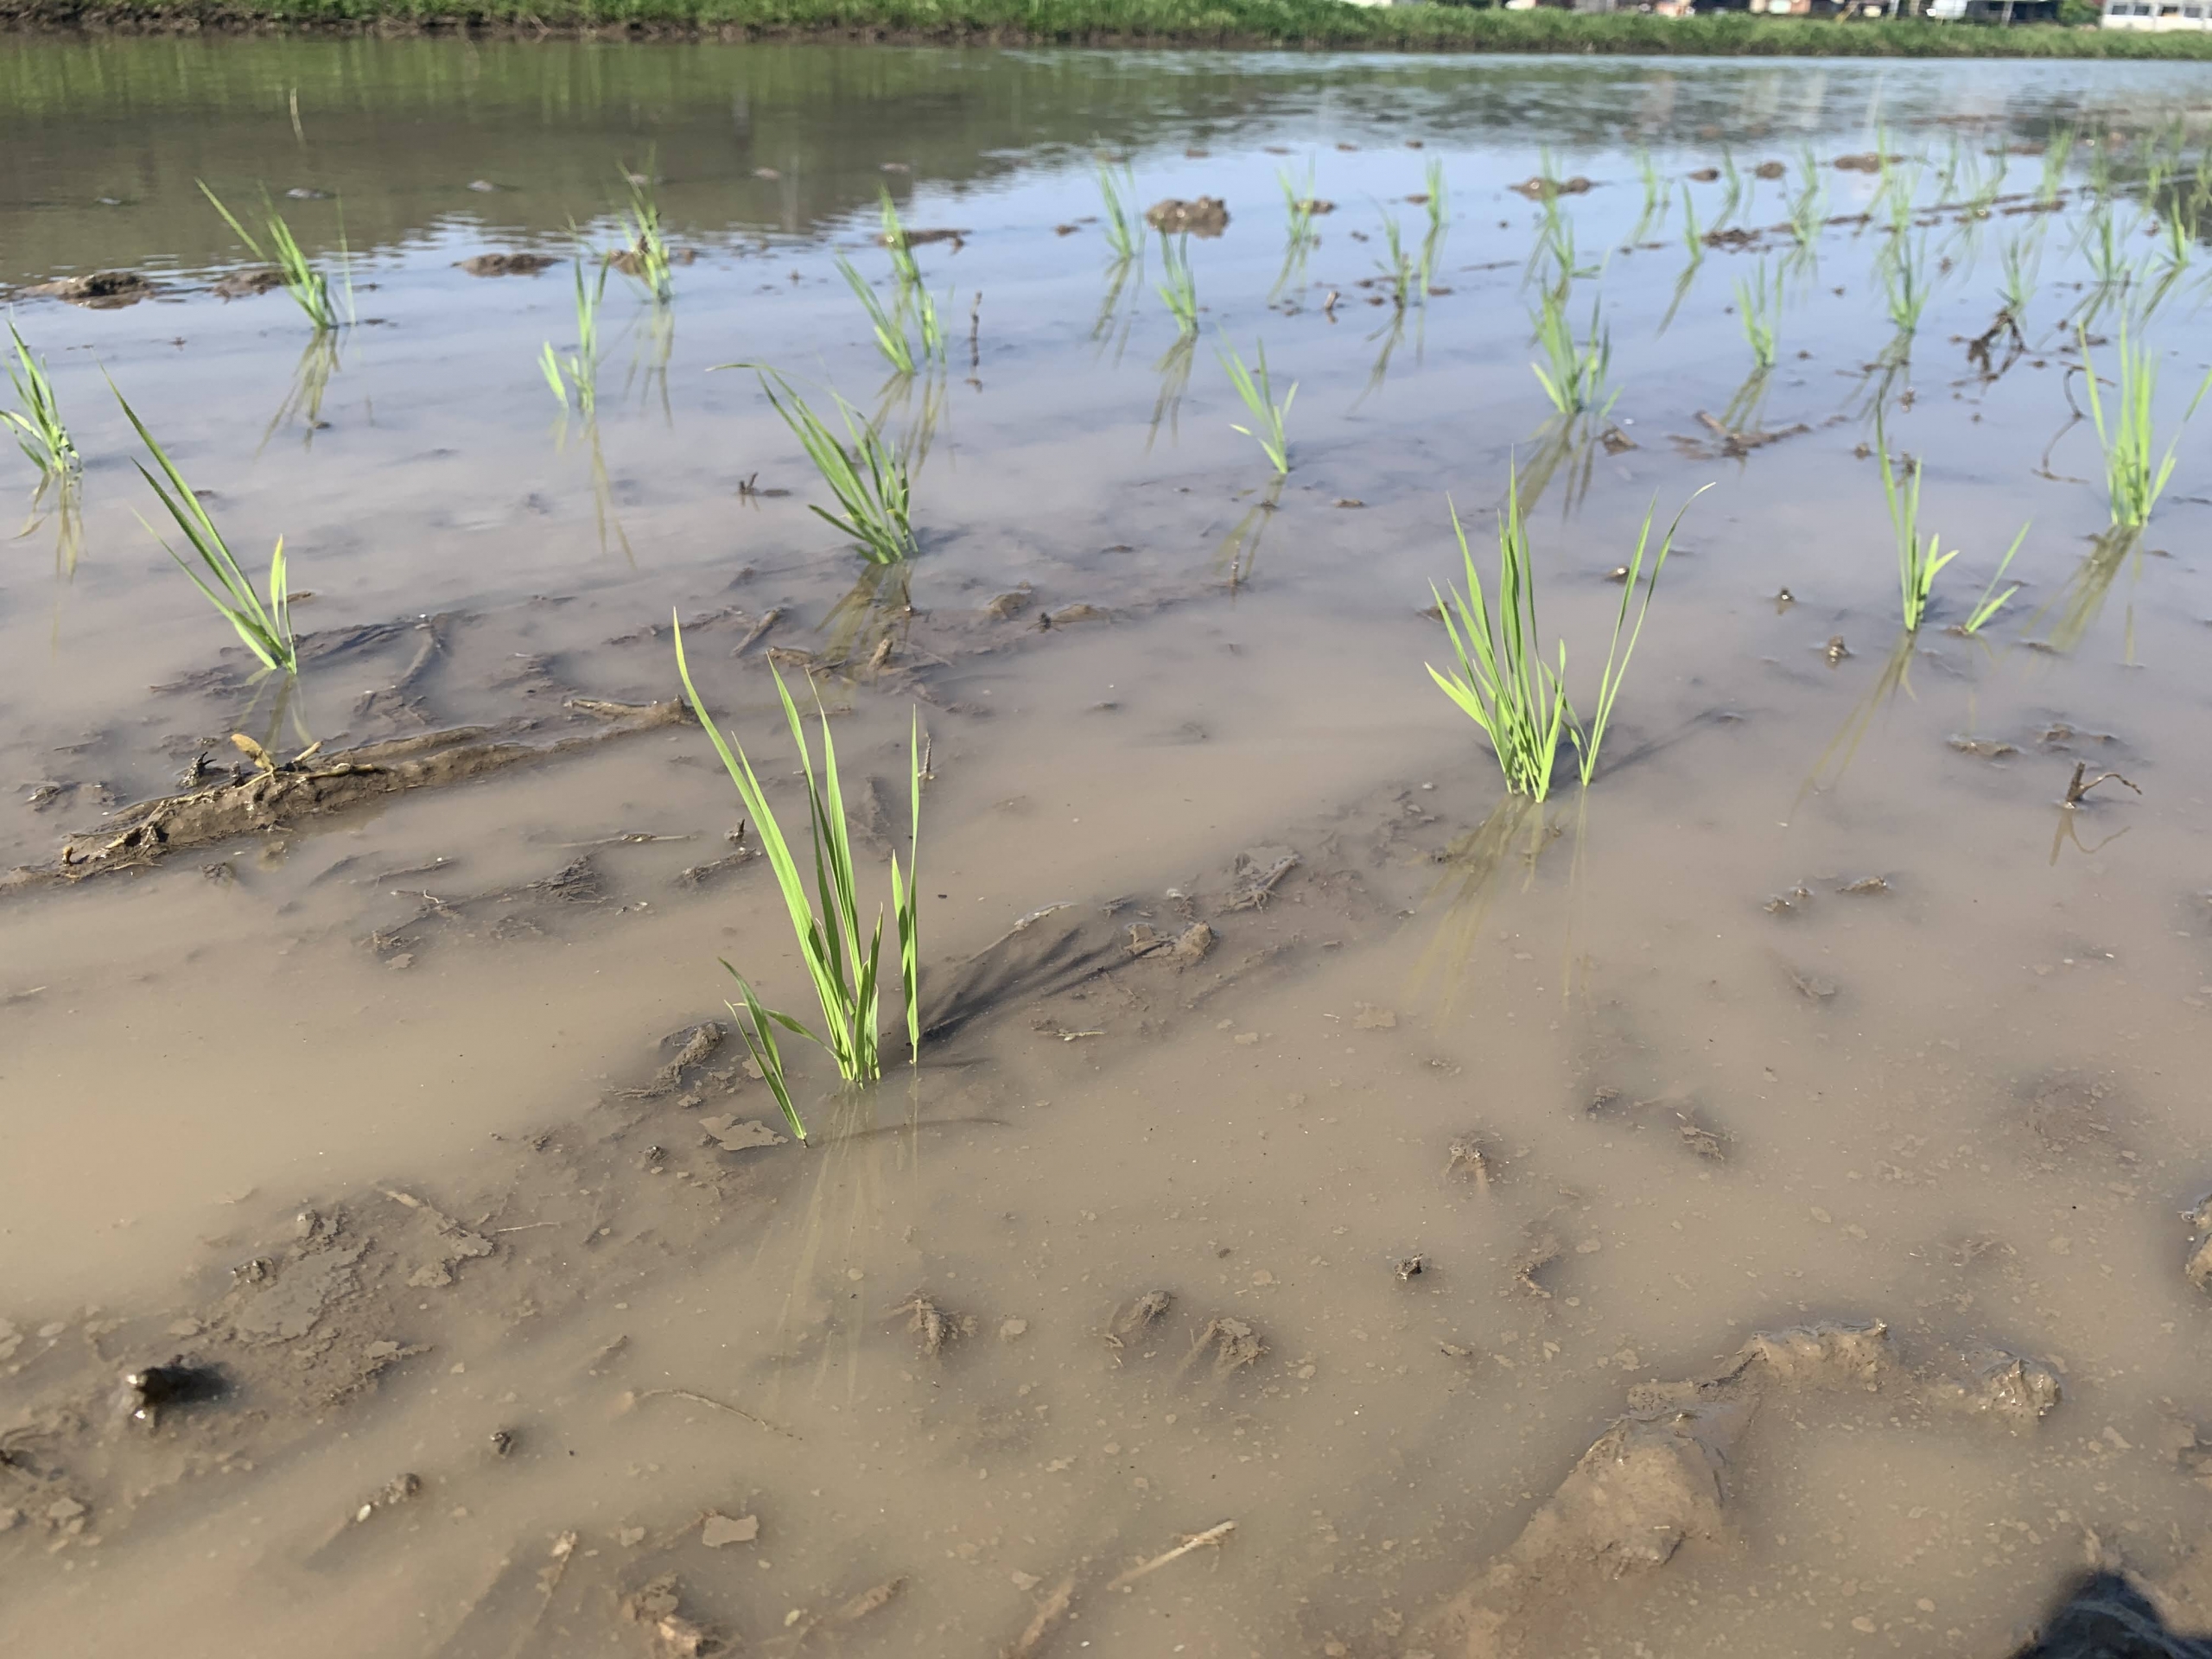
{"points": [[844, 954]]}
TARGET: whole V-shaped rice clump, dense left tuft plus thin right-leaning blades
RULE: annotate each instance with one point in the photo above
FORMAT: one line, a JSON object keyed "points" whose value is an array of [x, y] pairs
{"points": [[1501, 678]]}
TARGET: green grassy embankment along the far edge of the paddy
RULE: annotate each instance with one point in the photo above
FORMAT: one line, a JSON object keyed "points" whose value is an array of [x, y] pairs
{"points": [[1211, 23]]}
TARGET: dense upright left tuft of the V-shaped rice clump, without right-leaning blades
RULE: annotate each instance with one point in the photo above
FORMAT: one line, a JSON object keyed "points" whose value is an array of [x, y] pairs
{"points": [[1501, 678]]}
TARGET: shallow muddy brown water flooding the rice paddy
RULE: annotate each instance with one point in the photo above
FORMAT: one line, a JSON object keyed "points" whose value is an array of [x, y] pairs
{"points": [[366, 1112]]}
